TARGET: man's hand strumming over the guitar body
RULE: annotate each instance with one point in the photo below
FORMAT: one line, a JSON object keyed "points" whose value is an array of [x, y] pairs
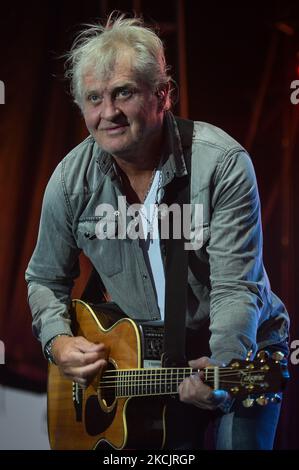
{"points": [[78, 359]]}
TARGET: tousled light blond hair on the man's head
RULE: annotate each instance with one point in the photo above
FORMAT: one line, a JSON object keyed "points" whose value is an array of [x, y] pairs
{"points": [[98, 47]]}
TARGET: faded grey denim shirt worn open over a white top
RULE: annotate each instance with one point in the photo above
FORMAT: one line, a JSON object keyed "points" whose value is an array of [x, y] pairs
{"points": [[227, 280]]}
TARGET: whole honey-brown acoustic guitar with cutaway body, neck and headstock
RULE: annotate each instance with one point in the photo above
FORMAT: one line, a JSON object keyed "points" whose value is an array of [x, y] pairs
{"points": [[125, 407]]}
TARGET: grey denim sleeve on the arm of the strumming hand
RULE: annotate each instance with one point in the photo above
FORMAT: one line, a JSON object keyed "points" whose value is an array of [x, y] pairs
{"points": [[54, 264]]}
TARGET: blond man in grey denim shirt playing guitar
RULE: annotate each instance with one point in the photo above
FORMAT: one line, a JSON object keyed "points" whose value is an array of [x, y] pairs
{"points": [[120, 82]]}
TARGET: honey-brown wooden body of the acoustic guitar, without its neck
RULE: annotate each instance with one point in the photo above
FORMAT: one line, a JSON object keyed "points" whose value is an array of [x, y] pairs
{"points": [[89, 419]]}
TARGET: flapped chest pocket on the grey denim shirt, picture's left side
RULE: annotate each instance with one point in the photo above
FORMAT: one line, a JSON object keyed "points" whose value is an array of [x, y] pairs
{"points": [[103, 252]]}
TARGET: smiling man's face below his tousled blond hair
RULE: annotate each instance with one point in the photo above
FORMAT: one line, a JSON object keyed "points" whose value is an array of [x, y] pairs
{"points": [[121, 113]]}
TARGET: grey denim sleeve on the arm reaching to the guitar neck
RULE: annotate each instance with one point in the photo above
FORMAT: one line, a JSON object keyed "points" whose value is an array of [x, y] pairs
{"points": [[235, 252]]}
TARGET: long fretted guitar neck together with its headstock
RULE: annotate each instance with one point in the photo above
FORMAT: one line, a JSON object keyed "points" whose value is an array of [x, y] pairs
{"points": [[239, 378]]}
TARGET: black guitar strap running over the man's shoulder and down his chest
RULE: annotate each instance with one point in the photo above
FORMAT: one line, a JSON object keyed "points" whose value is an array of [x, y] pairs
{"points": [[176, 269]]}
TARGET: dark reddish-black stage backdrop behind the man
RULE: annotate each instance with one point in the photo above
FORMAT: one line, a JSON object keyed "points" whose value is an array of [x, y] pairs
{"points": [[240, 58]]}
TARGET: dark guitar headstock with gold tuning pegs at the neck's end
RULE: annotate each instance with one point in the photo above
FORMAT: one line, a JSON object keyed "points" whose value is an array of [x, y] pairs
{"points": [[255, 381]]}
